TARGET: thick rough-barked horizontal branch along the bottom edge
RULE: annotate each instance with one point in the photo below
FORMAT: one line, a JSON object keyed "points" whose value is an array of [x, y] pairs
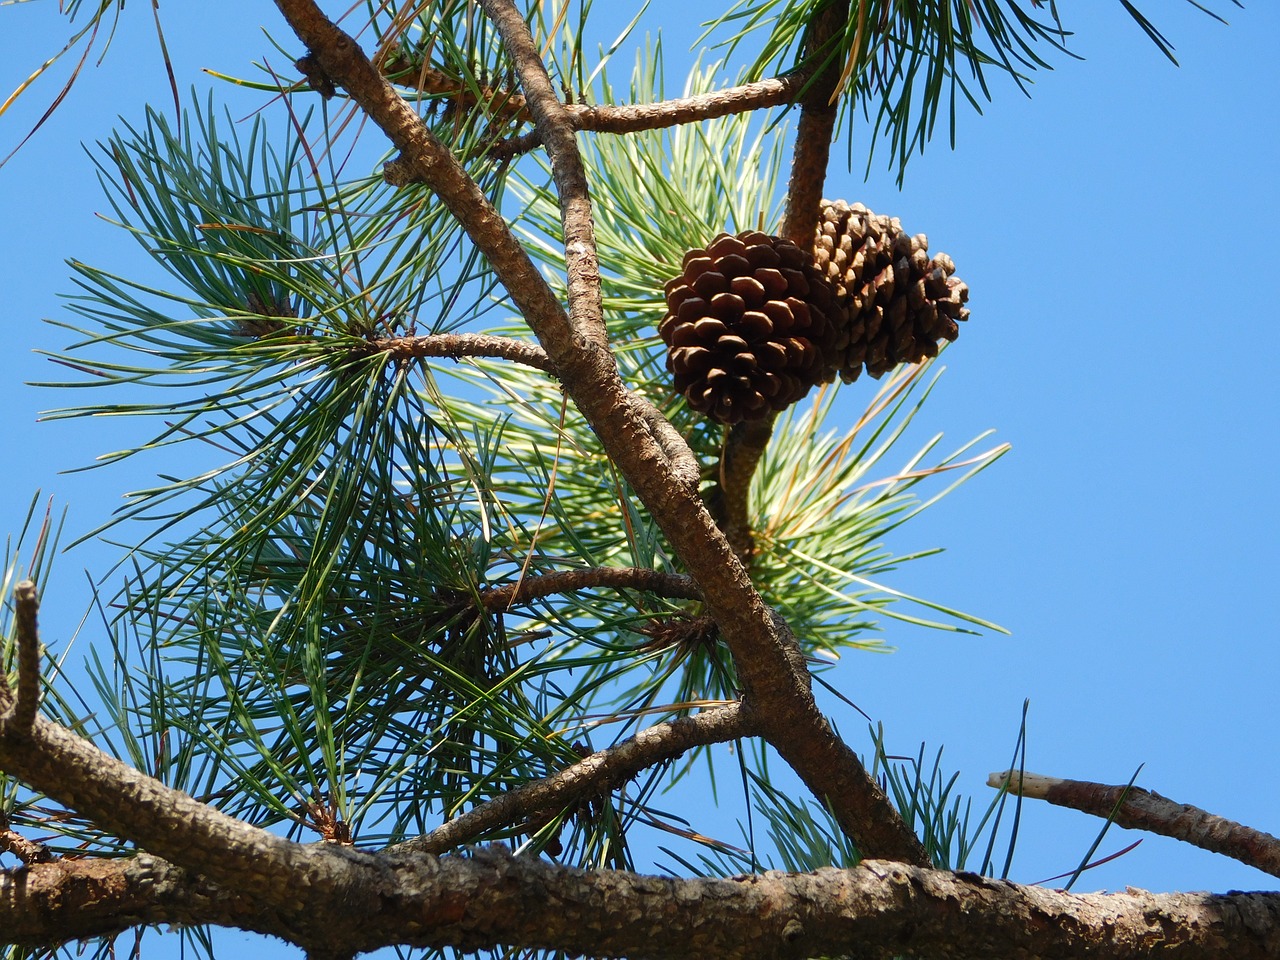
{"points": [[492, 899]]}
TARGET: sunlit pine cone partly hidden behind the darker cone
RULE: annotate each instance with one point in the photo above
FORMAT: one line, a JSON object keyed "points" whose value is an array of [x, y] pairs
{"points": [[900, 303]]}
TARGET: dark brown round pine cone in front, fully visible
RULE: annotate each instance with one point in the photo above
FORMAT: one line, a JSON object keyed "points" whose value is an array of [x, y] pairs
{"points": [[751, 330]]}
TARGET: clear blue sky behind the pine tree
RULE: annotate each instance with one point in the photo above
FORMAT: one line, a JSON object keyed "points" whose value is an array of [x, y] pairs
{"points": [[1119, 234]]}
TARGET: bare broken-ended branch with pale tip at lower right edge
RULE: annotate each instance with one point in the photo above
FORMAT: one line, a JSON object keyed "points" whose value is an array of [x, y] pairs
{"points": [[1136, 808]]}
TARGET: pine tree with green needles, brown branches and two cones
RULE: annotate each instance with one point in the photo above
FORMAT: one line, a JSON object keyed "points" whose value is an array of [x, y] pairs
{"points": [[528, 505]]}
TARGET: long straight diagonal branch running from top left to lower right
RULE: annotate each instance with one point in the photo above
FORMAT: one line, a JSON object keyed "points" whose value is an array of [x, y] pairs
{"points": [[774, 680]]}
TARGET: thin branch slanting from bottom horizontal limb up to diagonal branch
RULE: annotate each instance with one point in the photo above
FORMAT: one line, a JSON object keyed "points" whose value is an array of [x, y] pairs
{"points": [[597, 774]]}
